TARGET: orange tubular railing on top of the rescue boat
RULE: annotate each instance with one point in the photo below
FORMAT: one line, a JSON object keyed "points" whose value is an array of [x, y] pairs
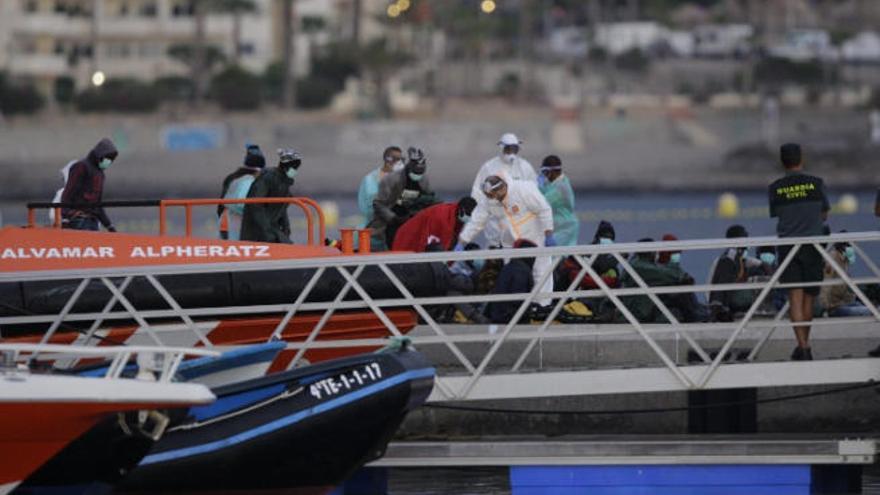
{"points": [[315, 221]]}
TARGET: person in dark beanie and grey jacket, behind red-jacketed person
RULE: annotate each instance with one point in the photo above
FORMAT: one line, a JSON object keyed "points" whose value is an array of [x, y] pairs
{"points": [[401, 195]]}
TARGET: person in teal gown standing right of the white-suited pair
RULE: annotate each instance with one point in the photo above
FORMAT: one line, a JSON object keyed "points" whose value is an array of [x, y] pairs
{"points": [[557, 190]]}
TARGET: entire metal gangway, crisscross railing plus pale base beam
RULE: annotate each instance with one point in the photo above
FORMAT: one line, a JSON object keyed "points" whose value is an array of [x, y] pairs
{"points": [[508, 360]]}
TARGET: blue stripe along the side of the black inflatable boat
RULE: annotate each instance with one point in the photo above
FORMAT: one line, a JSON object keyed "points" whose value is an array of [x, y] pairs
{"points": [[288, 420]]}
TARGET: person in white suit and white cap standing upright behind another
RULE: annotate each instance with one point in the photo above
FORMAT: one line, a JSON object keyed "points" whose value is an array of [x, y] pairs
{"points": [[510, 167]]}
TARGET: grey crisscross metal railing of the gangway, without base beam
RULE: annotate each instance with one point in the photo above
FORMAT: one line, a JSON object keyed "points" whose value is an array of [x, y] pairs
{"points": [[354, 296]]}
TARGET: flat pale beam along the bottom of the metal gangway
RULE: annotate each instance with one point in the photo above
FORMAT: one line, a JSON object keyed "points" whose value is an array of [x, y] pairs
{"points": [[641, 380]]}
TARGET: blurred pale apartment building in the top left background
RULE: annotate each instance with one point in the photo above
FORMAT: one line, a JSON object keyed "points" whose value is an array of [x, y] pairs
{"points": [[42, 40]]}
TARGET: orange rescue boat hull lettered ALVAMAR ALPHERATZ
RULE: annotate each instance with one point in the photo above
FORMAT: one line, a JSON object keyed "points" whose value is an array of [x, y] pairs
{"points": [[28, 250]]}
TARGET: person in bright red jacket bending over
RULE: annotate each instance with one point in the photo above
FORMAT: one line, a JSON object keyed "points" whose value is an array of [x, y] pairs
{"points": [[440, 223]]}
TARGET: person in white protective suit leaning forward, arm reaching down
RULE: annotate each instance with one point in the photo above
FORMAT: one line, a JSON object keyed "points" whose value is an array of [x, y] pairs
{"points": [[523, 213]]}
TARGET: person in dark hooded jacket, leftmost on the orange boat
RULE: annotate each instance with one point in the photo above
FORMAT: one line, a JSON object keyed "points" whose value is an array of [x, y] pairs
{"points": [[85, 184]]}
